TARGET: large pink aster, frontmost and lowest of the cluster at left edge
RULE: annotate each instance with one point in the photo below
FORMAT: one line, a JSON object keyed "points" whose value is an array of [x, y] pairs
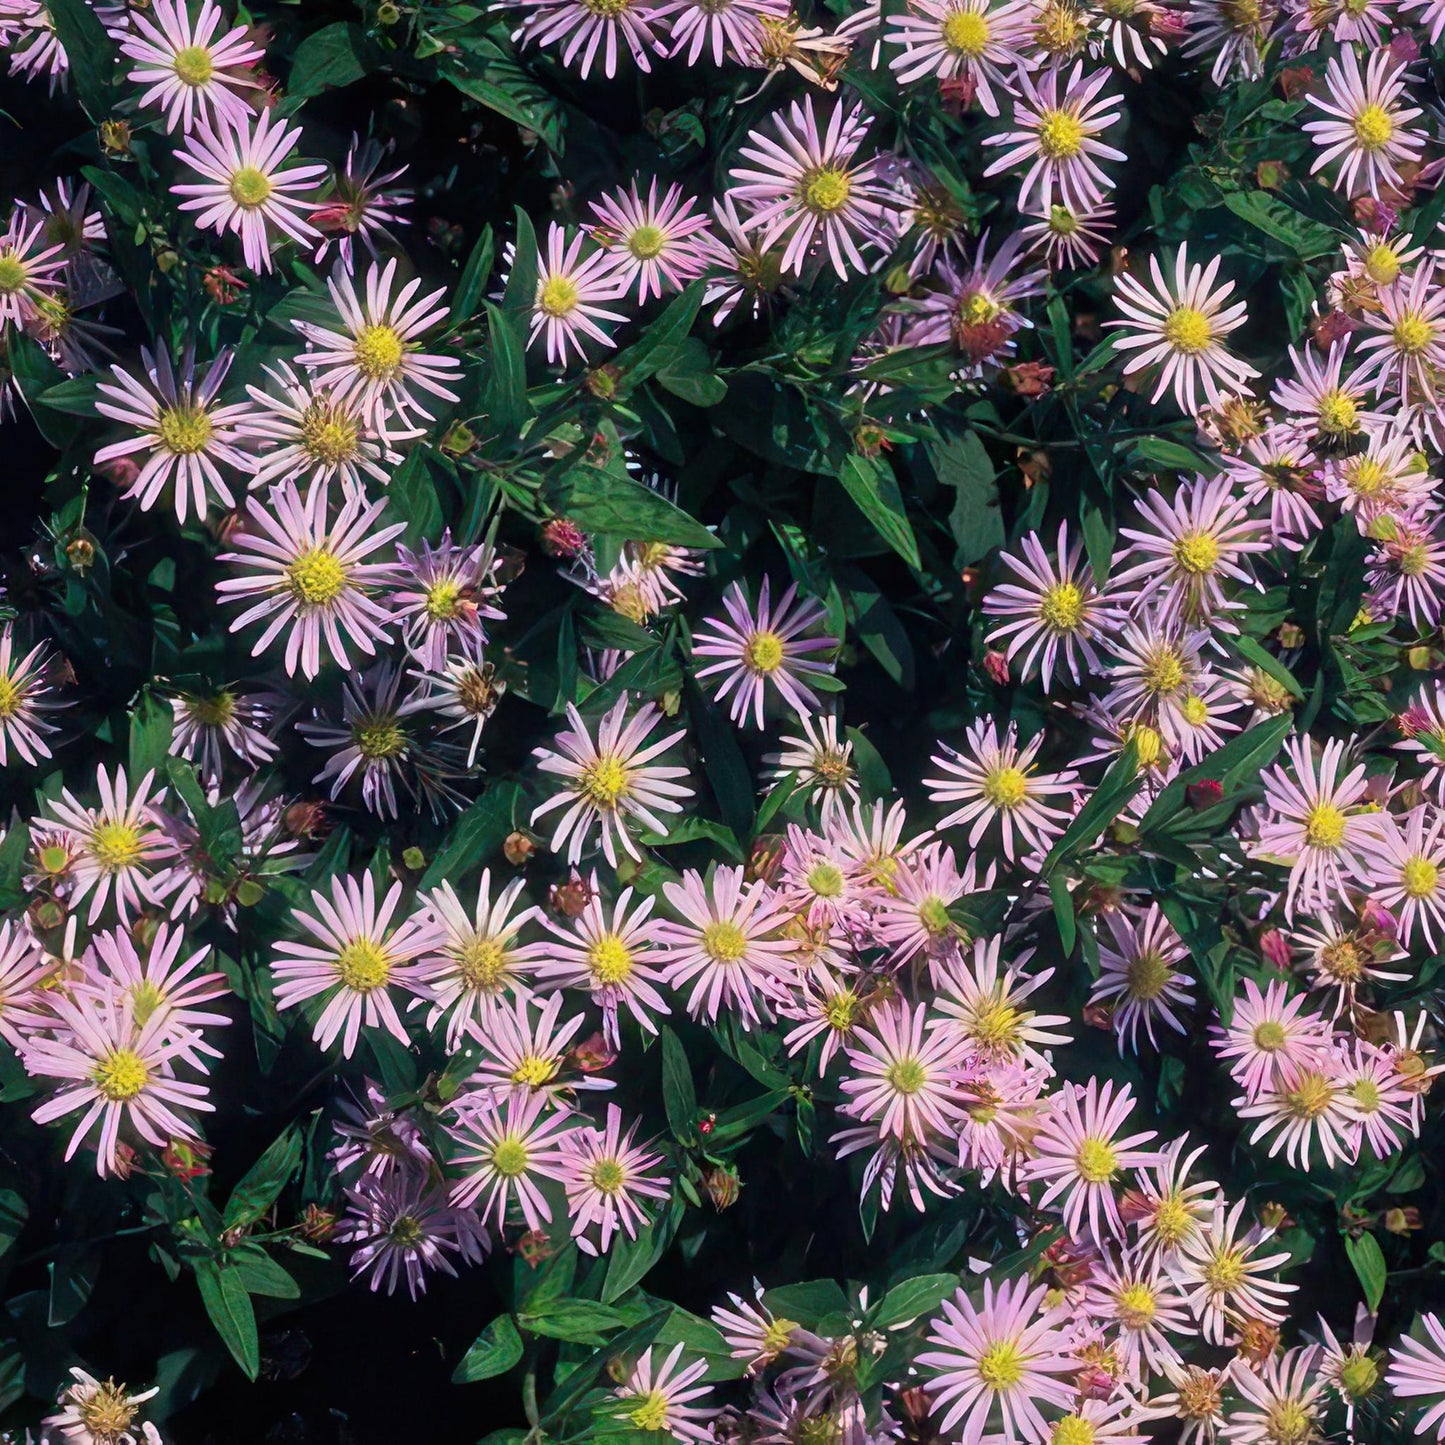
{"points": [[118, 1071]]}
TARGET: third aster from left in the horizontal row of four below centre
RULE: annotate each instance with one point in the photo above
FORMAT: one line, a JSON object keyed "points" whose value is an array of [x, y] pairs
{"points": [[612, 956]]}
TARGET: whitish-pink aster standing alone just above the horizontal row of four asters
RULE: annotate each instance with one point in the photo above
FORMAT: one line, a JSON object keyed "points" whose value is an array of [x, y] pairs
{"points": [[611, 780]]}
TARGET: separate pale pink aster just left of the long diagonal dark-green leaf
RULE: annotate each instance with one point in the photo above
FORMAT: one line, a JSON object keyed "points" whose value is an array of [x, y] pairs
{"points": [[996, 780]]}
